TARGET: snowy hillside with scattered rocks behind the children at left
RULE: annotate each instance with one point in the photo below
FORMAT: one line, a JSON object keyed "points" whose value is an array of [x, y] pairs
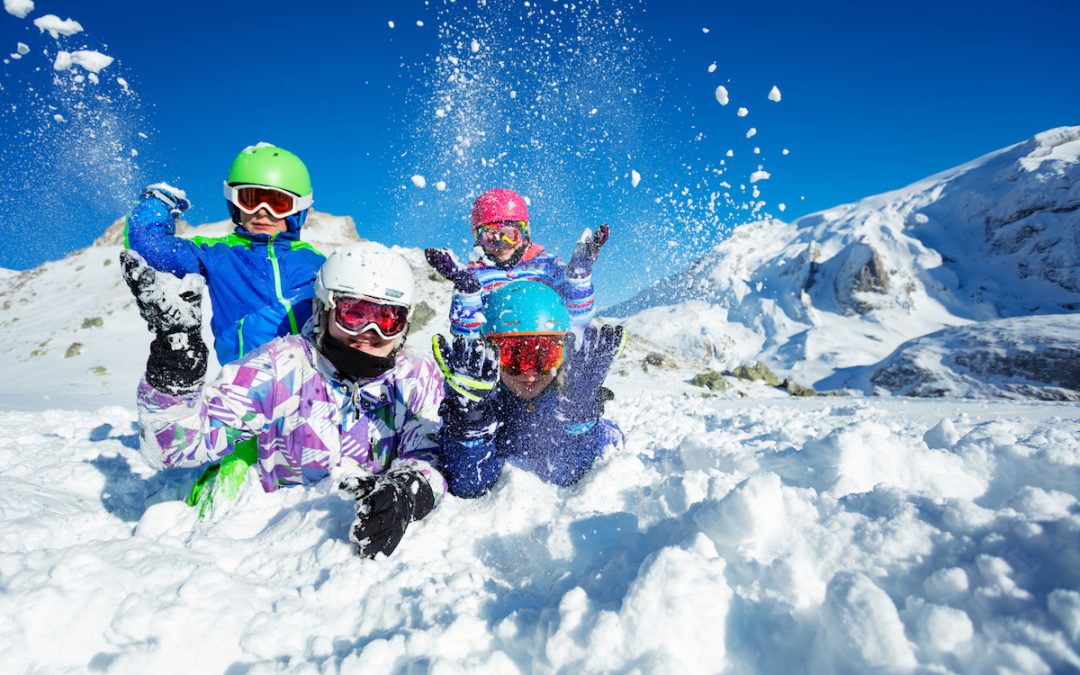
{"points": [[74, 340]]}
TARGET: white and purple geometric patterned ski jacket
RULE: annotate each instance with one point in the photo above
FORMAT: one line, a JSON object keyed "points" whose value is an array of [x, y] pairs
{"points": [[306, 421]]}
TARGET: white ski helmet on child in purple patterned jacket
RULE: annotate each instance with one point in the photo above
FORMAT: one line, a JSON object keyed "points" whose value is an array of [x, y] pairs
{"points": [[367, 269]]}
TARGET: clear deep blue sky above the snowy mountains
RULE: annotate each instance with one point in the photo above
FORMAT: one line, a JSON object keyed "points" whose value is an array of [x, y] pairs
{"points": [[561, 106]]}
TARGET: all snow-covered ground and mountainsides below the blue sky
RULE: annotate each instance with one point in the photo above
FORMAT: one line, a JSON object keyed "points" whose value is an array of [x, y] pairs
{"points": [[739, 530]]}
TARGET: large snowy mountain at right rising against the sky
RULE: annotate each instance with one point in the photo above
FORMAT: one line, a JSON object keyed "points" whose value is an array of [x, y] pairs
{"points": [[998, 237]]}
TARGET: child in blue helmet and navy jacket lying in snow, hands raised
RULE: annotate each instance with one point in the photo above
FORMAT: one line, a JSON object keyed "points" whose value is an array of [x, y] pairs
{"points": [[512, 399]]}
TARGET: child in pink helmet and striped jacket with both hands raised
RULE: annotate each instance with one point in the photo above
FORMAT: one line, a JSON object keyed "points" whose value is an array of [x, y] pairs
{"points": [[501, 225]]}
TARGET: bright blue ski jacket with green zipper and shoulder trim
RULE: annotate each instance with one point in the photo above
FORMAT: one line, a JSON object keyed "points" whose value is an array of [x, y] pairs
{"points": [[261, 287]]}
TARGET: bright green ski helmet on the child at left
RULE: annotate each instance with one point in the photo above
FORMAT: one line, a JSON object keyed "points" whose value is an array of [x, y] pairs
{"points": [[273, 167]]}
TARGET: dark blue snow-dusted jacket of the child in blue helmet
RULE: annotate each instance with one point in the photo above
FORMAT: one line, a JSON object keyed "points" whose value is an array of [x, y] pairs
{"points": [[529, 435]]}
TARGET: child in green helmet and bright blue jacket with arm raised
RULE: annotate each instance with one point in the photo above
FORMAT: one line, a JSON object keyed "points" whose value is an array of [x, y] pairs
{"points": [[260, 277]]}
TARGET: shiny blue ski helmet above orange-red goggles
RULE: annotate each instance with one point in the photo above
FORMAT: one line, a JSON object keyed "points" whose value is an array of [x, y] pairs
{"points": [[525, 308]]}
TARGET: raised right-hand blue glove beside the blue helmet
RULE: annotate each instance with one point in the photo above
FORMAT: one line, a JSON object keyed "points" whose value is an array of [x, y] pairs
{"points": [[580, 398]]}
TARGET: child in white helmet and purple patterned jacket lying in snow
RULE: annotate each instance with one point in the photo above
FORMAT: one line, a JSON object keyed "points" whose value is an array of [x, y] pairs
{"points": [[343, 394]]}
